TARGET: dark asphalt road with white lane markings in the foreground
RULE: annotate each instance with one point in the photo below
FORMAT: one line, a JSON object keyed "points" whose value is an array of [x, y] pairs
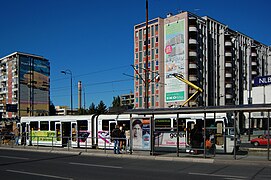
{"points": [[37, 165]]}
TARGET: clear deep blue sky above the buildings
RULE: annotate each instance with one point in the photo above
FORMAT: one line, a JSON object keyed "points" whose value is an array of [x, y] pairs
{"points": [[94, 39]]}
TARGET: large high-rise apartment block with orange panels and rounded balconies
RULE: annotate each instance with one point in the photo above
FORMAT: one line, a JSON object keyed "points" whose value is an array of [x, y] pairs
{"points": [[219, 60]]}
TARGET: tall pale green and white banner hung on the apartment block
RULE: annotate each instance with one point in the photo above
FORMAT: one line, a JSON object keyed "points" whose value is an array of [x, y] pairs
{"points": [[174, 34]]}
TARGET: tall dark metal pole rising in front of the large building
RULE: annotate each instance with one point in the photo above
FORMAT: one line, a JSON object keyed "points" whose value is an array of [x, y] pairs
{"points": [[147, 59]]}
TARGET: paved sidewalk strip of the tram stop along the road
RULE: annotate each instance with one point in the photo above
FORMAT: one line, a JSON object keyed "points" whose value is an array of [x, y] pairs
{"points": [[241, 157]]}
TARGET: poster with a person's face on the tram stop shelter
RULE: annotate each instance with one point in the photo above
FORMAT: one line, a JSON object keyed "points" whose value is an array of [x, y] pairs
{"points": [[141, 133]]}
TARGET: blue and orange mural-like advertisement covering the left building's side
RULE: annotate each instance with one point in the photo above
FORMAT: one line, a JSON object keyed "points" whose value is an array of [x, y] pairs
{"points": [[34, 86]]}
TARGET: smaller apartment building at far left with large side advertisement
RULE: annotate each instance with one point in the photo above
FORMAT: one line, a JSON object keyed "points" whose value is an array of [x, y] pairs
{"points": [[24, 85]]}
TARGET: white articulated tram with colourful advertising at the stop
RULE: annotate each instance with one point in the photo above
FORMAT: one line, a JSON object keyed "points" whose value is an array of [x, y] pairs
{"points": [[93, 131]]}
